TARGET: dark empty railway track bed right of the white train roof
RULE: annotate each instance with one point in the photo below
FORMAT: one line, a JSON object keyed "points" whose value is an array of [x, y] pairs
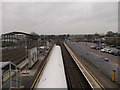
{"points": [[75, 78]]}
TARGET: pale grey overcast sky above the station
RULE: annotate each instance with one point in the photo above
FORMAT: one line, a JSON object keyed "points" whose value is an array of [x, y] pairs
{"points": [[60, 17]]}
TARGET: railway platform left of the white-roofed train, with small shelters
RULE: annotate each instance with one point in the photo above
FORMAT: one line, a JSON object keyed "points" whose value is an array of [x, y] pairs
{"points": [[26, 74]]}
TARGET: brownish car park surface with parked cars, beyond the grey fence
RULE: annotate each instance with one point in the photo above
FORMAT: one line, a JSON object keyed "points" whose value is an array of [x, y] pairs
{"points": [[110, 55]]}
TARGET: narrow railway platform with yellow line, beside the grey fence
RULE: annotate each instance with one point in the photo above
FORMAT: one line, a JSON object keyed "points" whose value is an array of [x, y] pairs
{"points": [[98, 78]]}
